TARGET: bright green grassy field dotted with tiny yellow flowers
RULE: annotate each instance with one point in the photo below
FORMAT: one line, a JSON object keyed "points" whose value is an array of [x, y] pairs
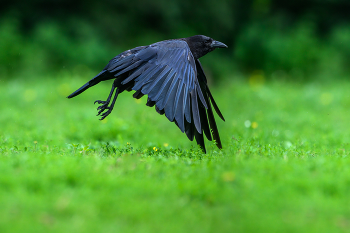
{"points": [[284, 168]]}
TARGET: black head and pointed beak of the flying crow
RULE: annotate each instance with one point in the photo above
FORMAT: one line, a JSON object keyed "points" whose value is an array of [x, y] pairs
{"points": [[201, 45]]}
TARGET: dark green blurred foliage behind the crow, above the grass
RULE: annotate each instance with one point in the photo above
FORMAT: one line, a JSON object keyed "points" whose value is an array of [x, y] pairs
{"points": [[298, 40]]}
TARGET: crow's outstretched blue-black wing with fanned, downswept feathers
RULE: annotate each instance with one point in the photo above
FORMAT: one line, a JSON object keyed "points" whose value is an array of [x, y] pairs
{"points": [[167, 72]]}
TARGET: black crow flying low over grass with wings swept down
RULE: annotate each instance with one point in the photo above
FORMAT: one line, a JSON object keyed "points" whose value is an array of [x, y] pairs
{"points": [[170, 73]]}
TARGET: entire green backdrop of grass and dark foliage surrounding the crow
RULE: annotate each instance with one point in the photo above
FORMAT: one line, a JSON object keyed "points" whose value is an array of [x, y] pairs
{"points": [[282, 85]]}
